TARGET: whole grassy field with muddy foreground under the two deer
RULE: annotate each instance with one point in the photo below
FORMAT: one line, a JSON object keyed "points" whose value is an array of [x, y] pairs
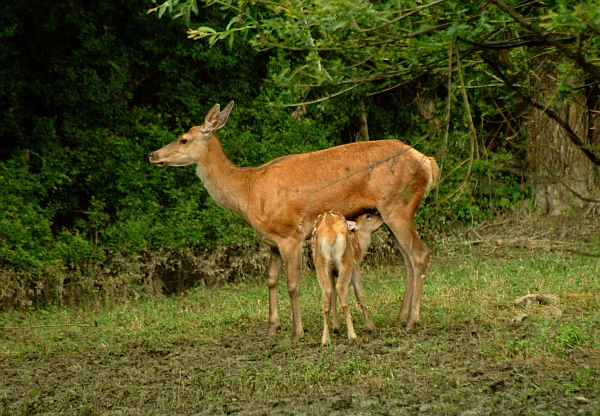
{"points": [[474, 352]]}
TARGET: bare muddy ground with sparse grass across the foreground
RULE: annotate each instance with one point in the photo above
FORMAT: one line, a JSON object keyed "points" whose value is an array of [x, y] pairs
{"points": [[436, 370]]}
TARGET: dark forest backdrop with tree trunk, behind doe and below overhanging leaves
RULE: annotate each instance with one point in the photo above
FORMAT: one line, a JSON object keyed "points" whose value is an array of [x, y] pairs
{"points": [[89, 88]]}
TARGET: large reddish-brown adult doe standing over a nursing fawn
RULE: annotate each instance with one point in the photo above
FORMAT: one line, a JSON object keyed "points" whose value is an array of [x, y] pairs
{"points": [[282, 199]]}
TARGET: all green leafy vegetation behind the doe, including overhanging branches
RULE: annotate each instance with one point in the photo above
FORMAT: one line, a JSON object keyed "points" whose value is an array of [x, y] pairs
{"points": [[87, 90]]}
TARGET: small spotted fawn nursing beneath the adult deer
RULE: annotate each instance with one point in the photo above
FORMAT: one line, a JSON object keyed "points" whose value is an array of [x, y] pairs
{"points": [[339, 244]]}
